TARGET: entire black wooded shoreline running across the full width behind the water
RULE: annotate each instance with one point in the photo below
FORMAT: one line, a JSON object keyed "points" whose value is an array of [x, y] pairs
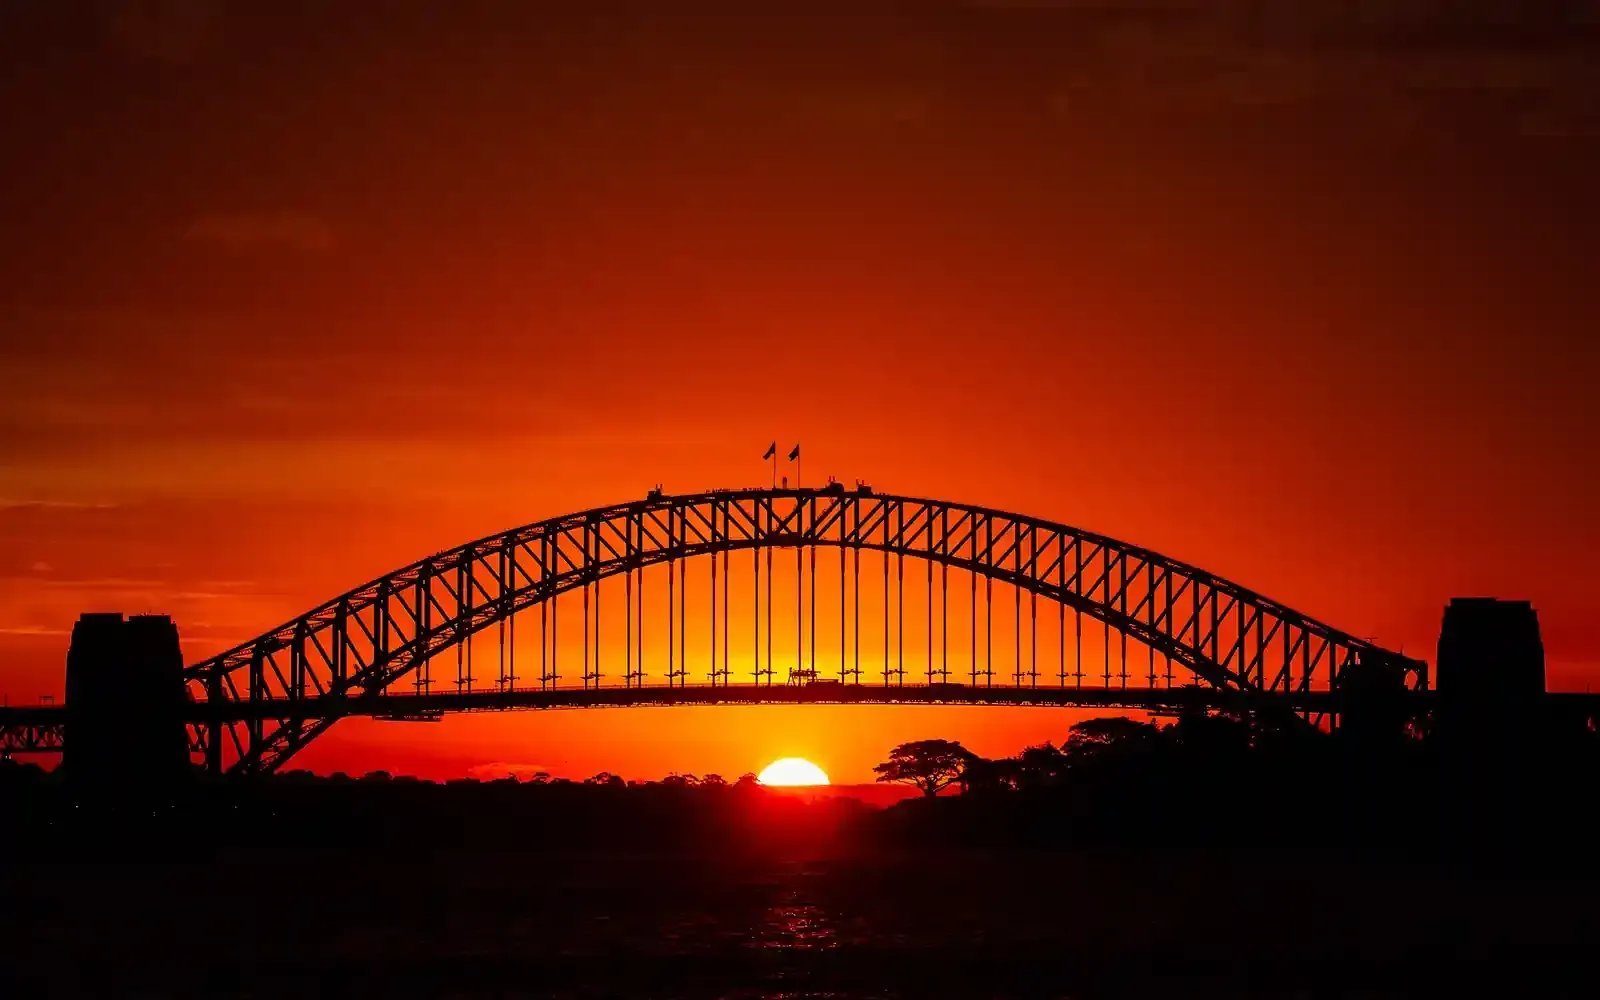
{"points": [[1202, 780]]}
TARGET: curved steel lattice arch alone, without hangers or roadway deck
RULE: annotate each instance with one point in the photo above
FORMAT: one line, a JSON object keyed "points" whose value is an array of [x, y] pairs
{"points": [[359, 644]]}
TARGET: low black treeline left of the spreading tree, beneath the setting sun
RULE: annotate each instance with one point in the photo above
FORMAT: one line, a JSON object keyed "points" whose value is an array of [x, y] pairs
{"points": [[396, 815]]}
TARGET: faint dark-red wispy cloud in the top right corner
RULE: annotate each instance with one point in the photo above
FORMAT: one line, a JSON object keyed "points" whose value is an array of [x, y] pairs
{"points": [[1495, 63]]}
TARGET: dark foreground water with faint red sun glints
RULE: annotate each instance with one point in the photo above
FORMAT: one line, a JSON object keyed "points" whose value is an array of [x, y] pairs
{"points": [[402, 922]]}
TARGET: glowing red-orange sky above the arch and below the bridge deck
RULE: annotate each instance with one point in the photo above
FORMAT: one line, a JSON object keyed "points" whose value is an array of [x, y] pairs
{"points": [[292, 297]]}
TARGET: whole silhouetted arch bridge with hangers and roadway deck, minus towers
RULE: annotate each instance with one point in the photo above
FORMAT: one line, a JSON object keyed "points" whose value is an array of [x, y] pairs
{"points": [[410, 646]]}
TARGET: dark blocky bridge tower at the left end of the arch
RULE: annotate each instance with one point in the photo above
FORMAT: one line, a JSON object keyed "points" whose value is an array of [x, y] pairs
{"points": [[126, 705]]}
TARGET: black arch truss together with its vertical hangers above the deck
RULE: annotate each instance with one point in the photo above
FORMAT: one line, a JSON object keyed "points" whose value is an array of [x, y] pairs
{"points": [[262, 702]]}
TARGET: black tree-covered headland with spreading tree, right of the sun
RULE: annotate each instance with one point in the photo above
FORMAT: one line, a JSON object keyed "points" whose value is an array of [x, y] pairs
{"points": [[1210, 780]]}
